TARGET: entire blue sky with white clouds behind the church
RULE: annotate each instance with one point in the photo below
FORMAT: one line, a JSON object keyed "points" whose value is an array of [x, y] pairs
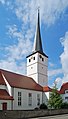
{"points": [[18, 19]]}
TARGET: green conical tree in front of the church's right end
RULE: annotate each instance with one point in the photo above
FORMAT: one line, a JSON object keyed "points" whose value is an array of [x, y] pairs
{"points": [[55, 100]]}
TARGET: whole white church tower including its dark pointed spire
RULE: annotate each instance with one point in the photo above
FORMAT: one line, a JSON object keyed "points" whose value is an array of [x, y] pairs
{"points": [[37, 62]]}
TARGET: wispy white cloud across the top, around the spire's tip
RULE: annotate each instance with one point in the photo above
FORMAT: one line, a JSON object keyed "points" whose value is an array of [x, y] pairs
{"points": [[50, 10]]}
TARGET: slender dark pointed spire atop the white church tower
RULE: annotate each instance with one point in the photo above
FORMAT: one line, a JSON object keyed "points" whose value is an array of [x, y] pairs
{"points": [[38, 42]]}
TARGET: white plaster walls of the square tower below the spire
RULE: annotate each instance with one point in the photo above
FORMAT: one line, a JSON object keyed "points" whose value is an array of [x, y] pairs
{"points": [[37, 69]]}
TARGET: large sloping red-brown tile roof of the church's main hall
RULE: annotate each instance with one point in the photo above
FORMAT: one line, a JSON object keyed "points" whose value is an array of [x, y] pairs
{"points": [[20, 81]]}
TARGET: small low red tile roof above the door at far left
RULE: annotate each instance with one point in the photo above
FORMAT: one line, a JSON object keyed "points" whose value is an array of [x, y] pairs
{"points": [[4, 95]]}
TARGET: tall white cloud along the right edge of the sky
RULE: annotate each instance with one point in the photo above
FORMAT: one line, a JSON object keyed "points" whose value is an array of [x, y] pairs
{"points": [[64, 57]]}
